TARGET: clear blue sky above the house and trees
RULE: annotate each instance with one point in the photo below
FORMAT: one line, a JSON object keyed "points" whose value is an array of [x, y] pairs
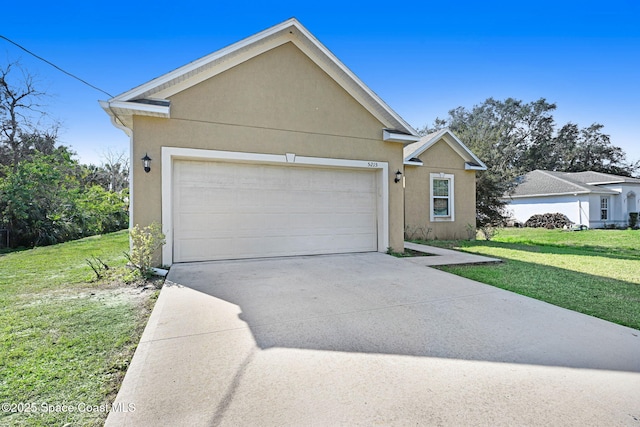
{"points": [[423, 58]]}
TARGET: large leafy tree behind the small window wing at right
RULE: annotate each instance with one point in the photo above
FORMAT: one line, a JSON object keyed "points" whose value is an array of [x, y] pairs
{"points": [[512, 138]]}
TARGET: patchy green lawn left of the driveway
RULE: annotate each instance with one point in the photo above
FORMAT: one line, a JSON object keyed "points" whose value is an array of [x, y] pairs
{"points": [[65, 339]]}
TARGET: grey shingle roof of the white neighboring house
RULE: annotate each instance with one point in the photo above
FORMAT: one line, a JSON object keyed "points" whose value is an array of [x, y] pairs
{"points": [[548, 183]]}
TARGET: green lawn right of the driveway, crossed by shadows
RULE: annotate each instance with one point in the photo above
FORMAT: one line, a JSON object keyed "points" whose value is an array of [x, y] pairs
{"points": [[596, 272]]}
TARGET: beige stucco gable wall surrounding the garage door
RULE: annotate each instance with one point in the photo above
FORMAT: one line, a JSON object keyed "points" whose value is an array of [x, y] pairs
{"points": [[278, 102]]}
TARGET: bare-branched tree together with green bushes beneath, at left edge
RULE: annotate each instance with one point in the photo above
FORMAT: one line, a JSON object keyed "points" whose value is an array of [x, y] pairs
{"points": [[45, 196]]}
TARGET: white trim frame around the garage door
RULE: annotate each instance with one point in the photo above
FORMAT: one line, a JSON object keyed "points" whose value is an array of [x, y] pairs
{"points": [[169, 154]]}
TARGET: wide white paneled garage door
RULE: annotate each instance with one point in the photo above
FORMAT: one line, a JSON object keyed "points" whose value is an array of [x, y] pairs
{"points": [[241, 210]]}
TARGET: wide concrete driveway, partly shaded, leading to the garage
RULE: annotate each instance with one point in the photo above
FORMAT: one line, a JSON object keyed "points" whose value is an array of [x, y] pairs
{"points": [[368, 339]]}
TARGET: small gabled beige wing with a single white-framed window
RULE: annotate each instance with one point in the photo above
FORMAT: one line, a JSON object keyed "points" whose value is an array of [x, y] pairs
{"points": [[440, 187]]}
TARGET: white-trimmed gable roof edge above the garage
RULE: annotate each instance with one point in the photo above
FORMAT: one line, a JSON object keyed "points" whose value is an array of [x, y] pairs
{"points": [[150, 99]]}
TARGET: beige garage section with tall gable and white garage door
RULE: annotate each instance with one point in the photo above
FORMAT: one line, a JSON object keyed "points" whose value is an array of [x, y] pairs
{"points": [[268, 147]]}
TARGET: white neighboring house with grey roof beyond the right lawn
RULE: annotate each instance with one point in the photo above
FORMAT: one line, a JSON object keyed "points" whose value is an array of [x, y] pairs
{"points": [[587, 198]]}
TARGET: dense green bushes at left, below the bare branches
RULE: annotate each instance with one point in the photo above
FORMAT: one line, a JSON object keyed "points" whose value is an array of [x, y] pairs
{"points": [[43, 201]]}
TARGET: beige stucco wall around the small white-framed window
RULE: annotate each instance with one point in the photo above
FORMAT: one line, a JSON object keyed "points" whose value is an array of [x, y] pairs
{"points": [[439, 158]]}
